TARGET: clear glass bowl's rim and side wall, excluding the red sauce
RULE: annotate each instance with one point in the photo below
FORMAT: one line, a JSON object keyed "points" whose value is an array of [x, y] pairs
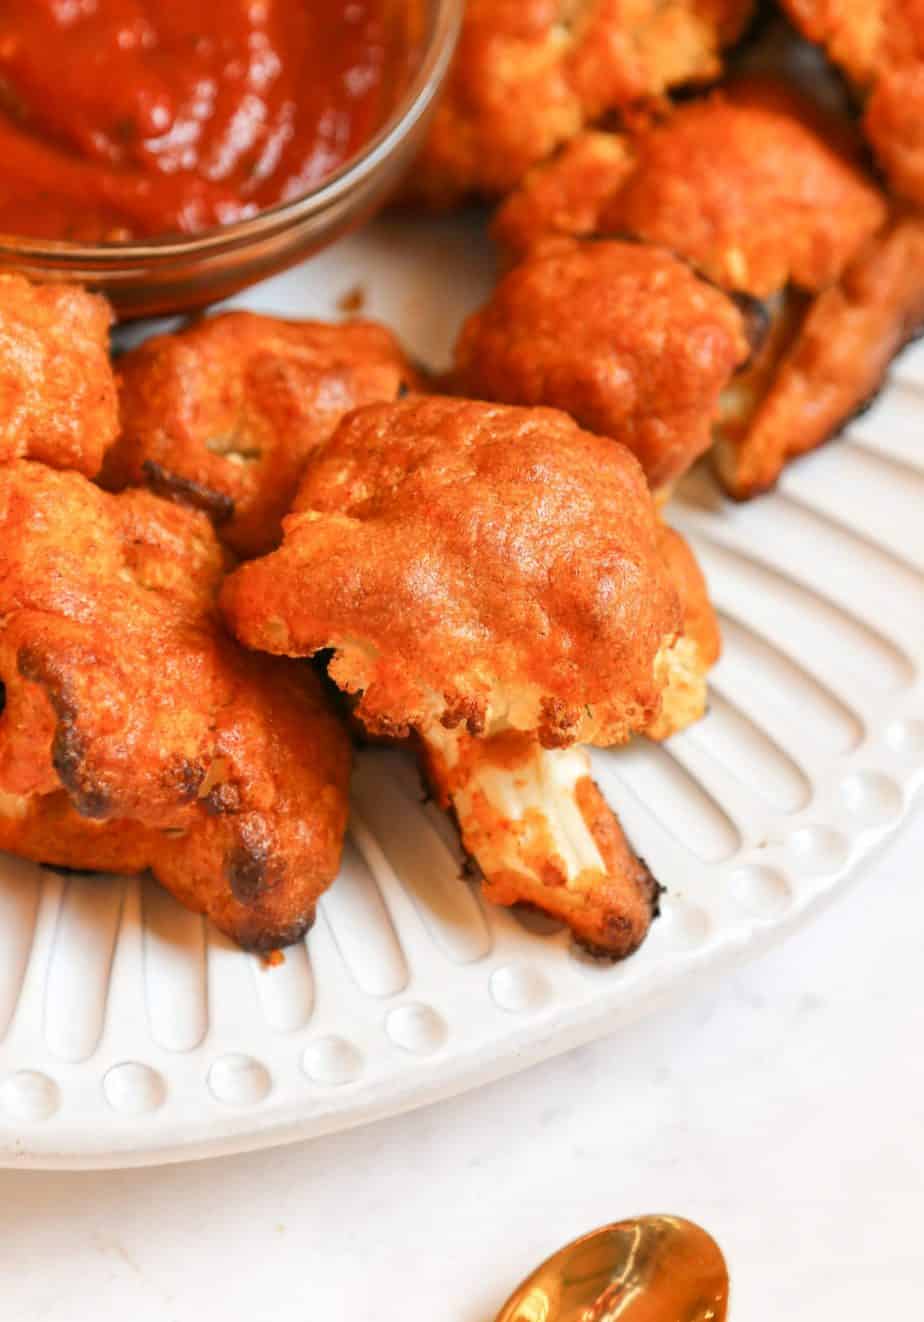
{"points": [[175, 274]]}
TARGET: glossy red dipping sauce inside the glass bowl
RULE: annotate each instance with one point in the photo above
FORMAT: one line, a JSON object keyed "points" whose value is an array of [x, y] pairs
{"points": [[132, 118]]}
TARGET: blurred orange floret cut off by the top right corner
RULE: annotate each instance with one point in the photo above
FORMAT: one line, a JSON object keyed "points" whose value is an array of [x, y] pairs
{"points": [[880, 46]]}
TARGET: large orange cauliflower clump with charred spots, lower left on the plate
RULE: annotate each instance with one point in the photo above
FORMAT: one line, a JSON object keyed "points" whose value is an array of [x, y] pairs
{"points": [[135, 733]]}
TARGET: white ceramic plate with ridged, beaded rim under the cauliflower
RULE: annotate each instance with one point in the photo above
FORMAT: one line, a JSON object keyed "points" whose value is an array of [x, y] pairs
{"points": [[134, 1034]]}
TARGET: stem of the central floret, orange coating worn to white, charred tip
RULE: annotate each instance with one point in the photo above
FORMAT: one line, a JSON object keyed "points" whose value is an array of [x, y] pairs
{"points": [[607, 898]]}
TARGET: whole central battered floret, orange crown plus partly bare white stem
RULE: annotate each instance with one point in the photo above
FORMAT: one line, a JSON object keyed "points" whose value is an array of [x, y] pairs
{"points": [[490, 578]]}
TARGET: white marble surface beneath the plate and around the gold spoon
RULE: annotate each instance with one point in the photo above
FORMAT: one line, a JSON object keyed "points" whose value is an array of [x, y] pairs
{"points": [[783, 1108]]}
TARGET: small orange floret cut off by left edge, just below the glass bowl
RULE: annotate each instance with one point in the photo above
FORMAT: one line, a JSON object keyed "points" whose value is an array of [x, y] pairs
{"points": [[58, 392]]}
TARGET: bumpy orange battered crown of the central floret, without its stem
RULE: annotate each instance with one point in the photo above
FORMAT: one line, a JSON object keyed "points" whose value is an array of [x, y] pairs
{"points": [[473, 564]]}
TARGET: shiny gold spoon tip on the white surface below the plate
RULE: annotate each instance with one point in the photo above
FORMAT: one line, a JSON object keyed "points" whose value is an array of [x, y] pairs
{"points": [[647, 1270]]}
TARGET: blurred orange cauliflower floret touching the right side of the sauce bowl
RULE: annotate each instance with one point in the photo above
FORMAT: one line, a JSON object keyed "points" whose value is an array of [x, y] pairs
{"points": [[529, 75]]}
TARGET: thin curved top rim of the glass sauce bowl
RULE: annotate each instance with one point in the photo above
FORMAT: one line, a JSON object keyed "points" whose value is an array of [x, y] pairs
{"points": [[446, 22]]}
